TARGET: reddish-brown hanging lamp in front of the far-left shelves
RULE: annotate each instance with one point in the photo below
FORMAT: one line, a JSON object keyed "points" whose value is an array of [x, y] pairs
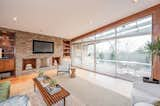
{"points": [[4, 40]]}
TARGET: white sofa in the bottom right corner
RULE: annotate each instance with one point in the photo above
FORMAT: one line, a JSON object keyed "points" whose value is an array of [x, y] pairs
{"points": [[145, 94]]}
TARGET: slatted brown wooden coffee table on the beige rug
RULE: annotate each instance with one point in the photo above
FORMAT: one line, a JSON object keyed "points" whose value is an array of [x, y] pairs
{"points": [[48, 98]]}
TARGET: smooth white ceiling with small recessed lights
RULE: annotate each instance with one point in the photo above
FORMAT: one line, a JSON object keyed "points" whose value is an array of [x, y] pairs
{"points": [[66, 18]]}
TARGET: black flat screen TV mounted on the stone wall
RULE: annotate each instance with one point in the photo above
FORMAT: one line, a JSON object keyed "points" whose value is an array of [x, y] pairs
{"points": [[43, 46]]}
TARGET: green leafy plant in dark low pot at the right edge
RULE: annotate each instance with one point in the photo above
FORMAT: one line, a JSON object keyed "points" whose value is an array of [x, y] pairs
{"points": [[153, 49]]}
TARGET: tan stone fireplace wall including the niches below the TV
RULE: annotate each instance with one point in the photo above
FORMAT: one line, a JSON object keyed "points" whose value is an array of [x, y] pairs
{"points": [[26, 61]]}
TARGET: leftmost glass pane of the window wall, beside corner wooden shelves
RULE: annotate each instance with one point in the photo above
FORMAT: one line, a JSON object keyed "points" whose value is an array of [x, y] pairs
{"points": [[76, 55]]}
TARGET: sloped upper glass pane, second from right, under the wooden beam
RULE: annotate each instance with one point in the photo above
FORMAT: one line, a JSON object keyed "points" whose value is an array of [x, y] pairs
{"points": [[106, 34]]}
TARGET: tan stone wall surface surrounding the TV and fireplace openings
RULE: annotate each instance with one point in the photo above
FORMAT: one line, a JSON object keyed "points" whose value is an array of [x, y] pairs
{"points": [[23, 49]]}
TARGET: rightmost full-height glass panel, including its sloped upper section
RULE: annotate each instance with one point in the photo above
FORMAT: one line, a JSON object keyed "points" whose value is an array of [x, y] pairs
{"points": [[132, 59]]}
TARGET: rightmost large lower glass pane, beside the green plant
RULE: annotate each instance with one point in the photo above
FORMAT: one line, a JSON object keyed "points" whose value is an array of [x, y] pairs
{"points": [[132, 61]]}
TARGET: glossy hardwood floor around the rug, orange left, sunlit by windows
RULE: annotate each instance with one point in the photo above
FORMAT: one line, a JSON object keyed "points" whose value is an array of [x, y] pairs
{"points": [[120, 86]]}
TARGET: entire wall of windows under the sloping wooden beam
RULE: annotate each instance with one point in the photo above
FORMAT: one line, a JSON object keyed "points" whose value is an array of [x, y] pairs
{"points": [[119, 51]]}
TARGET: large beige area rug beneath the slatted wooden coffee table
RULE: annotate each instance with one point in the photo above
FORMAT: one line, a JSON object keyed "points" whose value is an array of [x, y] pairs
{"points": [[83, 93]]}
